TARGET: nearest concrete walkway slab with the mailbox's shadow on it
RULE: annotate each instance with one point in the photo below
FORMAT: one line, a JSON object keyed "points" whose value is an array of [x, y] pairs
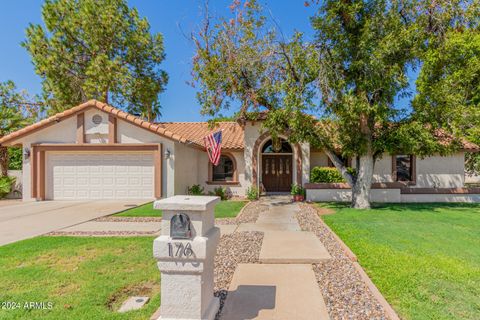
{"points": [[276, 292]]}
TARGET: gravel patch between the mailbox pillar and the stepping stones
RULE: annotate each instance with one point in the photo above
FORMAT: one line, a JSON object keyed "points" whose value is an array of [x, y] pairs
{"points": [[235, 248]]}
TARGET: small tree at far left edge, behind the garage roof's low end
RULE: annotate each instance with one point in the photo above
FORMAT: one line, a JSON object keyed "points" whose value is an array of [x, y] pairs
{"points": [[17, 111]]}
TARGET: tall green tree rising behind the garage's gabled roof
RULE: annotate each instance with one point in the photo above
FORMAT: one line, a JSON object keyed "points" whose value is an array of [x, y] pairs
{"points": [[99, 49]]}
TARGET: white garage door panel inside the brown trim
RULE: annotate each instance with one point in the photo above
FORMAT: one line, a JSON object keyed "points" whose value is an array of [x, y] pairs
{"points": [[100, 176]]}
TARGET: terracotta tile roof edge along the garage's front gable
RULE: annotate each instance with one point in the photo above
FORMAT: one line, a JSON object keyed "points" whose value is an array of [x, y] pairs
{"points": [[84, 106]]}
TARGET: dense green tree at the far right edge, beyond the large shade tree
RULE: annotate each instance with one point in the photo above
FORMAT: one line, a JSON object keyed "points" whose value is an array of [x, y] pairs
{"points": [[449, 87]]}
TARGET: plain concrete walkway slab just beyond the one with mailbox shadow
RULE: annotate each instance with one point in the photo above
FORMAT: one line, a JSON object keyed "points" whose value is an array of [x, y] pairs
{"points": [[292, 247]]}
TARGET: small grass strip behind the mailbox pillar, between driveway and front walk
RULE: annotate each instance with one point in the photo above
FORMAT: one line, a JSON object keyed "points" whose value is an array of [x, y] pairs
{"points": [[224, 209]]}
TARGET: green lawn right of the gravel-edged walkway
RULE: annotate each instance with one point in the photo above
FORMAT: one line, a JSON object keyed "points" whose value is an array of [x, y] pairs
{"points": [[424, 258]]}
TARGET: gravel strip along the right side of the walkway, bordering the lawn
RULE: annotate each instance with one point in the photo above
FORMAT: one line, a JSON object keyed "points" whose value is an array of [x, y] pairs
{"points": [[346, 295]]}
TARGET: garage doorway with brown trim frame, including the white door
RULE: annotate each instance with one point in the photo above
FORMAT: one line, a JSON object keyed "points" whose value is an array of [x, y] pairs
{"points": [[96, 171]]}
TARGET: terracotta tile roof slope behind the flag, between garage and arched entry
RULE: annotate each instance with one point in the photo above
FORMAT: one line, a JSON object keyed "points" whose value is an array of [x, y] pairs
{"points": [[232, 132]]}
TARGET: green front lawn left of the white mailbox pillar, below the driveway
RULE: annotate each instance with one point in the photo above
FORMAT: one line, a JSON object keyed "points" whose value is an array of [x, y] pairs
{"points": [[84, 278]]}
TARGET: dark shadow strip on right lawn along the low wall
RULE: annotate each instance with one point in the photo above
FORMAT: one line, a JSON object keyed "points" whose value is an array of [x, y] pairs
{"points": [[434, 206]]}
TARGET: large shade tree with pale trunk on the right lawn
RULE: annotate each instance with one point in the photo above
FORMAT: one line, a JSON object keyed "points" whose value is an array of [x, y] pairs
{"points": [[349, 75]]}
